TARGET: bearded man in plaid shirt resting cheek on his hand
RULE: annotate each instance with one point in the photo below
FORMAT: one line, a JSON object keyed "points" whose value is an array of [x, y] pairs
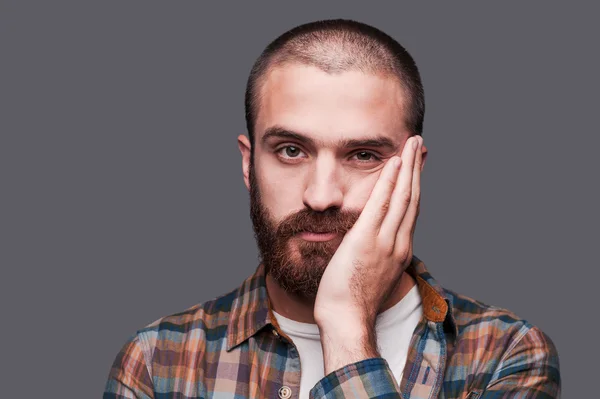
{"points": [[339, 306]]}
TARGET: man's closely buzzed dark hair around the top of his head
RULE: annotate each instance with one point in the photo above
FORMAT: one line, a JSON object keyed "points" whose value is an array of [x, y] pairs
{"points": [[335, 46]]}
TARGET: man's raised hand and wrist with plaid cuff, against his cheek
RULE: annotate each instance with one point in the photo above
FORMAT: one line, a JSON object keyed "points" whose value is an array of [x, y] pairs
{"points": [[363, 271]]}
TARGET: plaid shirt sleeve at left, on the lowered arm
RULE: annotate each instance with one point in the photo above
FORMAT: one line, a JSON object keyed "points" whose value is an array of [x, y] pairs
{"points": [[129, 377]]}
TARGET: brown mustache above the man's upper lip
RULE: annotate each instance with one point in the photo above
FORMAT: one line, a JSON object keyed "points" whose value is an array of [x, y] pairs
{"points": [[328, 221]]}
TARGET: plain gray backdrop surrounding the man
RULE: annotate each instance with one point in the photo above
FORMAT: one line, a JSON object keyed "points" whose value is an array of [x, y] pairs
{"points": [[122, 197]]}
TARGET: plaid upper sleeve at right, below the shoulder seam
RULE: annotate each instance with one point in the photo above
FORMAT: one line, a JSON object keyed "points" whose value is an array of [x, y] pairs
{"points": [[530, 369]]}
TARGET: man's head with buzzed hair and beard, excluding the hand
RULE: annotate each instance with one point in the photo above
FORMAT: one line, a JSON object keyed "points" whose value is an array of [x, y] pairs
{"points": [[327, 103]]}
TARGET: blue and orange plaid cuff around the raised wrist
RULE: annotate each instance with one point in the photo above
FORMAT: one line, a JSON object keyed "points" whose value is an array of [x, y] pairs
{"points": [[369, 378]]}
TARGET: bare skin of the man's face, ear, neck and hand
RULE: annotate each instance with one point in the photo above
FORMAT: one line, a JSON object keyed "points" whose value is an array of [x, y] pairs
{"points": [[366, 275]]}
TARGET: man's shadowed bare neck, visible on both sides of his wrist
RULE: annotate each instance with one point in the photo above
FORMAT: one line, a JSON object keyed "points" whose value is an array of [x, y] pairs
{"points": [[301, 309]]}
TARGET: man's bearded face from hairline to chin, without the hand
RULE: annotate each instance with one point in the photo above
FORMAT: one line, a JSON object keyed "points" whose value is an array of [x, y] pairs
{"points": [[320, 143]]}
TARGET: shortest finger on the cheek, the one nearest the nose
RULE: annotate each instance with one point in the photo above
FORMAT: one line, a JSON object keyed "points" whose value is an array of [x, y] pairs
{"points": [[379, 201]]}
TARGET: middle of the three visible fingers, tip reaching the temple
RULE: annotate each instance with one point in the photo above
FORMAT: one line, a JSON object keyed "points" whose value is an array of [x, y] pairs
{"points": [[402, 193]]}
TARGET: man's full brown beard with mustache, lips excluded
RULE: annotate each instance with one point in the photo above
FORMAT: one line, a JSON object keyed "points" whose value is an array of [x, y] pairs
{"points": [[295, 264]]}
